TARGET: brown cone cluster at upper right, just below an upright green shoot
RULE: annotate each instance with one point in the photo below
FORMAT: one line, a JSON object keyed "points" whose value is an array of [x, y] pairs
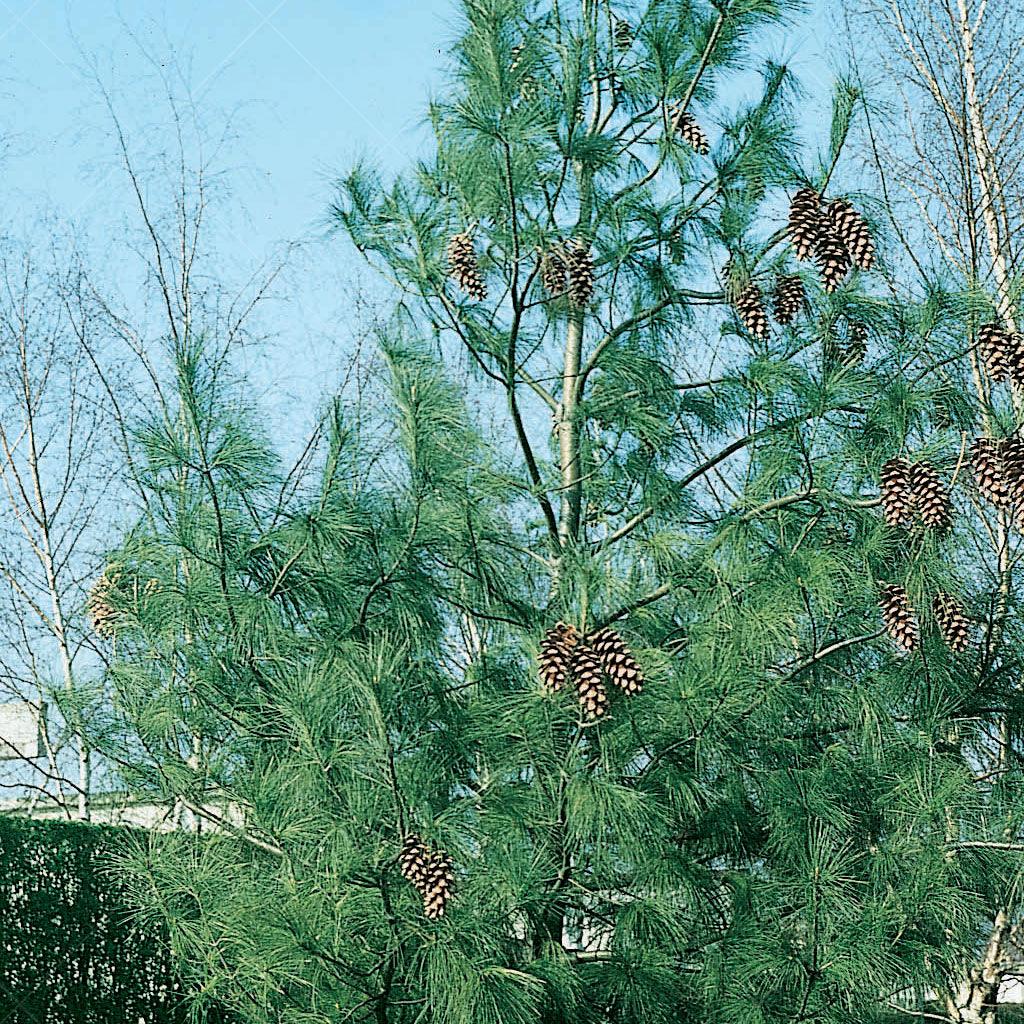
{"points": [[835, 236]]}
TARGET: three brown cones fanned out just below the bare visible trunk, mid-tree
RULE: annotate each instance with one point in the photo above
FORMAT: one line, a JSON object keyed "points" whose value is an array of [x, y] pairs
{"points": [[588, 661]]}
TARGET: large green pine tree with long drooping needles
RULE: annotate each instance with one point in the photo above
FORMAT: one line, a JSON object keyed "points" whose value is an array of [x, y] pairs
{"points": [[582, 426]]}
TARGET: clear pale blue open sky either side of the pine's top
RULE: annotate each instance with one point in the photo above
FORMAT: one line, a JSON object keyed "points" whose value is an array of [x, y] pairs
{"points": [[310, 87]]}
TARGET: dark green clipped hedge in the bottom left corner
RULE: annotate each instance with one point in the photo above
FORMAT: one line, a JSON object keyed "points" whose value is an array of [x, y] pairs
{"points": [[70, 952]]}
